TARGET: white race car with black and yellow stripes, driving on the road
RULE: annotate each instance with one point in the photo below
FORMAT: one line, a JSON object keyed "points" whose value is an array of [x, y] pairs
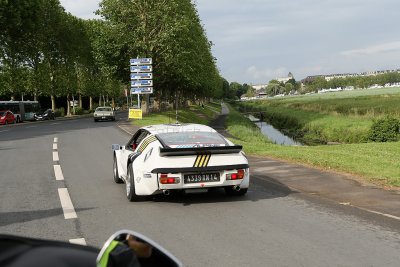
{"points": [[191, 157]]}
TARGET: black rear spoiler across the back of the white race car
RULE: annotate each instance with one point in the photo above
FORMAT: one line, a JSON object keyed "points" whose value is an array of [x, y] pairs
{"points": [[200, 150]]}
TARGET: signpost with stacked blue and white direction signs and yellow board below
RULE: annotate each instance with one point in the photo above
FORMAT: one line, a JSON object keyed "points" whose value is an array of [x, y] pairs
{"points": [[141, 81]]}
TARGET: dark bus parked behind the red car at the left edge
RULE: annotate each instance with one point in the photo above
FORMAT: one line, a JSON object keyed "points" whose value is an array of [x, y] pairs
{"points": [[23, 110]]}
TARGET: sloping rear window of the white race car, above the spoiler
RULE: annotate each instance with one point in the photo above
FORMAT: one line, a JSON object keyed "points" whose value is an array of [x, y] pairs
{"points": [[192, 139]]}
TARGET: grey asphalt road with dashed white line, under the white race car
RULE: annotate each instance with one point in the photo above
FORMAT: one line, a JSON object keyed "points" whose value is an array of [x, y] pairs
{"points": [[270, 226]]}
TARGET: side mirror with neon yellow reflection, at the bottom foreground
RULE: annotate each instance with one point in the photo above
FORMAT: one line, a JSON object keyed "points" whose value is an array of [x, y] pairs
{"points": [[125, 248]]}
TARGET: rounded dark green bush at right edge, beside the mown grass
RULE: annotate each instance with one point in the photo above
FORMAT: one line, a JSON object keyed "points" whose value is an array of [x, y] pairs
{"points": [[385, 130]]}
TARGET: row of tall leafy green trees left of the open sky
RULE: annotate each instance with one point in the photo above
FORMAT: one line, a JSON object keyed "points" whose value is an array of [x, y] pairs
{"points": [[46, 51]]}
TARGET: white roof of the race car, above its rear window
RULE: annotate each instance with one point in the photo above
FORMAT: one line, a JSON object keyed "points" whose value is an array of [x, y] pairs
{"points": [[171, 128]]}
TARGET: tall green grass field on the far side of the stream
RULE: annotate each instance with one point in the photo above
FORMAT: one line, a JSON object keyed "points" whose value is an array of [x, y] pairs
{"points": [[344, 117]]}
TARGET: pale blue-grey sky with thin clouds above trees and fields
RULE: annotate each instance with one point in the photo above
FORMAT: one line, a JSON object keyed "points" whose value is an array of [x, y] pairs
{"points": [[255, 41]]}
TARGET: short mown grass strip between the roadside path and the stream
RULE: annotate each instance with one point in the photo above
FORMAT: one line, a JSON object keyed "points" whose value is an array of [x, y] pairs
{"points": [[375, 162]]}
